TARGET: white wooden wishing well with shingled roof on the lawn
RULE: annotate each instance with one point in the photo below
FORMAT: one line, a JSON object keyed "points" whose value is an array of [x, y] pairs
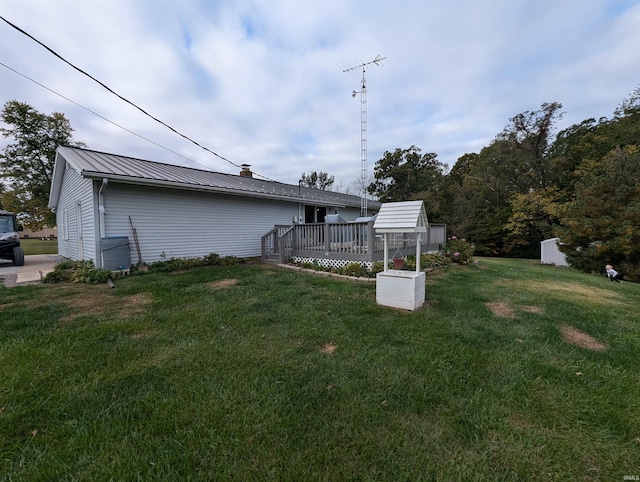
{"points": [[394, 287]]}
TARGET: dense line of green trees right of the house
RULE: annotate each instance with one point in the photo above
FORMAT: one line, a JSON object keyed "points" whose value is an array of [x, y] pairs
{"points": [[581, 185]]}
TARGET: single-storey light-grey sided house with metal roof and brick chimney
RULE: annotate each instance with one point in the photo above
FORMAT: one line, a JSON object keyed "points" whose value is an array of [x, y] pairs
{"points": [[176, 211]]}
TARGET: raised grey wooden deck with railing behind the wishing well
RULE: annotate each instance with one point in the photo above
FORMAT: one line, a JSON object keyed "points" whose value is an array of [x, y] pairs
{"points": [[354, 241]]}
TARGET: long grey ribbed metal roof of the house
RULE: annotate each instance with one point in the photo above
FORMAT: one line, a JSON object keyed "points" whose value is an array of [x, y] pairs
{"points": [[99, 165]]}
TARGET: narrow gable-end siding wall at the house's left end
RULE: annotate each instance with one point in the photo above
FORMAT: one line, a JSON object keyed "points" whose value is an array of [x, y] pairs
{"points": [[76, 203]]}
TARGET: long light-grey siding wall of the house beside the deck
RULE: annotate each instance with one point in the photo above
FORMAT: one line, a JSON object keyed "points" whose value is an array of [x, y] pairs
{"points": [[173, 223]]}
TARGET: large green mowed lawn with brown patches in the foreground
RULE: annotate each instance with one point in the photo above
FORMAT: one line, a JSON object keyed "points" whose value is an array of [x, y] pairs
{"points": [[513, 371]]}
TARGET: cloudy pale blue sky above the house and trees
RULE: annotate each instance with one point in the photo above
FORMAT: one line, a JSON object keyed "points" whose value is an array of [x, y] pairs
{"points": [[261, 82]]}
